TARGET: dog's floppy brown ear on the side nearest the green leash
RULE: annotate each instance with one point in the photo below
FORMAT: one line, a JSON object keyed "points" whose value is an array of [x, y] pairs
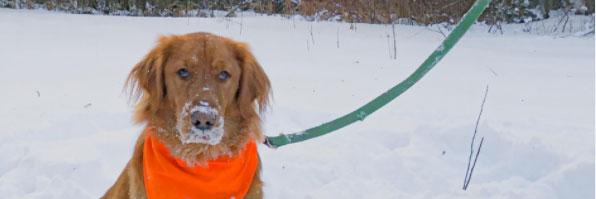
{"points": [[254, 88]]}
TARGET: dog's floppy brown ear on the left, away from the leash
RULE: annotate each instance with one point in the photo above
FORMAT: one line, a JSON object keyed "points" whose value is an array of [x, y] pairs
{"points": [[146, 80]]}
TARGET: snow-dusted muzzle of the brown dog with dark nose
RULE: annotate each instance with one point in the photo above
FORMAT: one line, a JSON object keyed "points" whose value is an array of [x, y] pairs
{"points": [[192, 131]]}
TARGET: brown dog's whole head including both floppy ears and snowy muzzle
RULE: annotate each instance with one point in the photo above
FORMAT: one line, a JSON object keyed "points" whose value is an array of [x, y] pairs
{"points": [[202, 88]]}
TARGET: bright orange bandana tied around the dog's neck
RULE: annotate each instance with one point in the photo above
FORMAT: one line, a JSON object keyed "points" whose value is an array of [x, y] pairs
{"points": [[168, 177]]}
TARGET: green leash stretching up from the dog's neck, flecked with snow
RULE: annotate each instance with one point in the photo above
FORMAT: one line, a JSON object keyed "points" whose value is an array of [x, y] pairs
{"points": [[359, 114]]}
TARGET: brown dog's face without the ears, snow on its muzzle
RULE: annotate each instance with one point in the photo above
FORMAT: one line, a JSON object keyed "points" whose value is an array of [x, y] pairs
{"points": [[202, 79]]}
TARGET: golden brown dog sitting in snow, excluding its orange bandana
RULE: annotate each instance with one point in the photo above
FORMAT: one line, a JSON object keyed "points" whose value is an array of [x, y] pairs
{"points": [[202, 94]]}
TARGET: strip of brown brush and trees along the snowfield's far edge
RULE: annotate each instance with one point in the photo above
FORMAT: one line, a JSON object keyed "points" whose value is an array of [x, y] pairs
{"points": [[353, 11]]}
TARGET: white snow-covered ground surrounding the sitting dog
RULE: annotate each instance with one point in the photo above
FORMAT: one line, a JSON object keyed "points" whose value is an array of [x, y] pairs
{"points": [[65, 129]]}
